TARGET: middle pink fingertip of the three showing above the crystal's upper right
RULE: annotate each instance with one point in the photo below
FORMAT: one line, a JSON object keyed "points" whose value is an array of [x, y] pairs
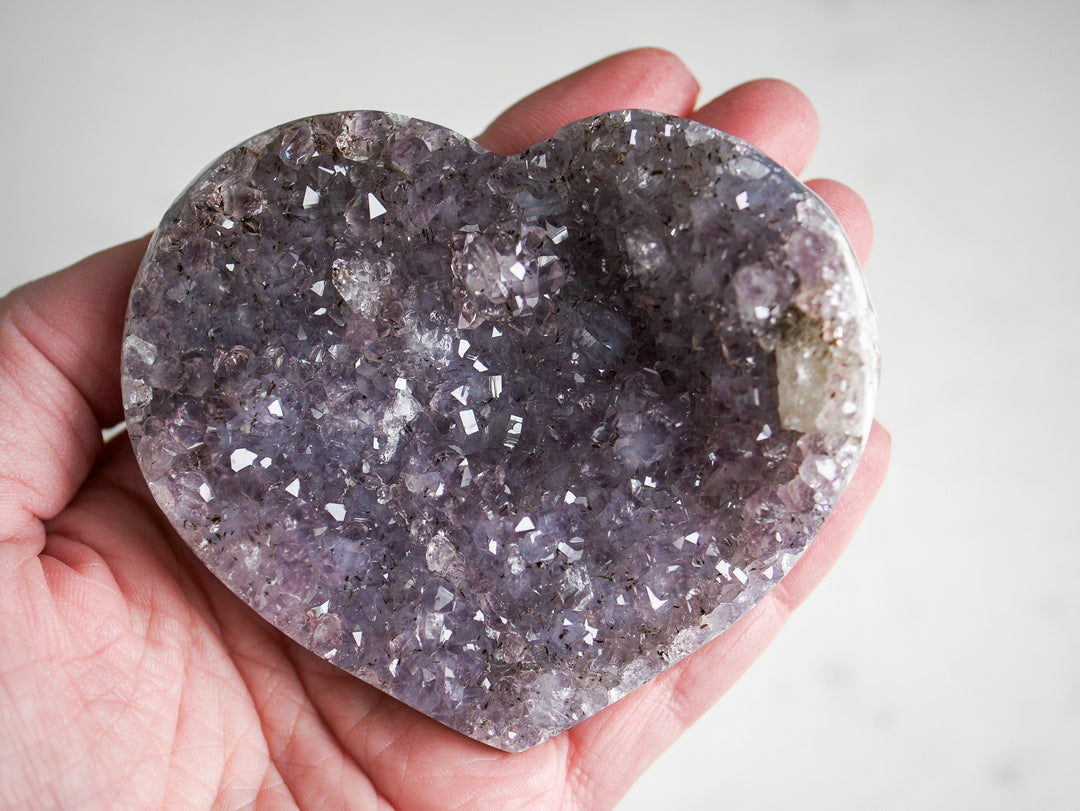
{"points": [[774, 116]]}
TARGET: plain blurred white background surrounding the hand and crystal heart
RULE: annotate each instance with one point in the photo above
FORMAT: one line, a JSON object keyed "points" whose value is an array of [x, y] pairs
{"points": [[938, 667]]}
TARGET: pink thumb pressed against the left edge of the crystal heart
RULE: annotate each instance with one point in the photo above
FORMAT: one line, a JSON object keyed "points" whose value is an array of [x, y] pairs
{"points": [[60, 382]]}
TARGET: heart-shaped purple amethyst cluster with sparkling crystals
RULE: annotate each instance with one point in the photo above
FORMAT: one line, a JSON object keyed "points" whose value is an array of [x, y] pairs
{"points": [[503, 437]]}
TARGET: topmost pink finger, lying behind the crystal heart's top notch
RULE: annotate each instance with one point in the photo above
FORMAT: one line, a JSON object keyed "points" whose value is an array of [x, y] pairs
{"points": [[646, 78]]}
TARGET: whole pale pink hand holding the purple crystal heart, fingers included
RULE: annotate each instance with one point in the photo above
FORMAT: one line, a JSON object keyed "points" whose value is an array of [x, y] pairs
{"points": [[131, 679]]}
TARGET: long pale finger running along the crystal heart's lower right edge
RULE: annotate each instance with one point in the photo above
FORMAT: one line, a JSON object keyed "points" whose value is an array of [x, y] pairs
{"points": [[611, 750]]}
